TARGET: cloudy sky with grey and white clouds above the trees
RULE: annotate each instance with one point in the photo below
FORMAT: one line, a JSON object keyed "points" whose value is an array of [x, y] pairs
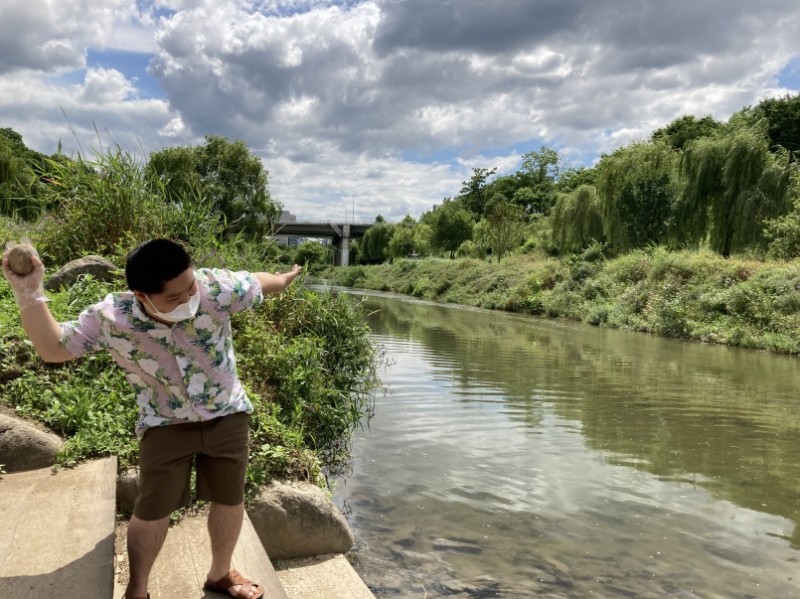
{"points": [[360, 108]]}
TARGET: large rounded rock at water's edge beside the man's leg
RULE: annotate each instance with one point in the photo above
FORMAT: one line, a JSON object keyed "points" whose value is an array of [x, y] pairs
{"points": [[298, 520]]}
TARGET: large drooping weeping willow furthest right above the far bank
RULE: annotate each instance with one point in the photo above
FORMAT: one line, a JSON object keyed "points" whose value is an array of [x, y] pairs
{"points": [[732, 183]]}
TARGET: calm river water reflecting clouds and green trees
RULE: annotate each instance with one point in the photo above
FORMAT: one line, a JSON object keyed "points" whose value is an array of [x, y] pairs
{"points": [[511, 456]]}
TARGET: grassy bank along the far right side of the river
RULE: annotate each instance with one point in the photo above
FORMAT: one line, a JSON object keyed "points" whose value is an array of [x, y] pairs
{"points": [[689, 295]]}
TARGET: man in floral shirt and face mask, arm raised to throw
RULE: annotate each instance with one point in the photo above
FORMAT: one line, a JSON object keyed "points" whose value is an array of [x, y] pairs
{"points": [[171, 334]]}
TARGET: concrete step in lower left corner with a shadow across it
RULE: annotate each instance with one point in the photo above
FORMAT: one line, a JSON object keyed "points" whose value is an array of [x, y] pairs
{"points": [[57, 532]]}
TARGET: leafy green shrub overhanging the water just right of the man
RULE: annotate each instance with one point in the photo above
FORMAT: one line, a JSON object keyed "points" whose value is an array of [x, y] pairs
{"points": [[311, 353]]}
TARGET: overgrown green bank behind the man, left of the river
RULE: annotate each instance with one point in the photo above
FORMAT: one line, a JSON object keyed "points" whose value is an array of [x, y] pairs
{"points": [[306, 359]]}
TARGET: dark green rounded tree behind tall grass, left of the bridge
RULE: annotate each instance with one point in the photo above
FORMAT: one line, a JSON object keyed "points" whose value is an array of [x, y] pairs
{"points": [[227, 174]]}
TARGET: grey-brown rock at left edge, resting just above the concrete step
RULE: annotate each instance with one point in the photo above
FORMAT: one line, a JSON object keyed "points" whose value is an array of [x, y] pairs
{"points": [[26, 447]]}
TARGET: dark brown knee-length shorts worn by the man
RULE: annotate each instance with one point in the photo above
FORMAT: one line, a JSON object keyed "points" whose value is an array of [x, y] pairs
{"points": [[166, 454]]}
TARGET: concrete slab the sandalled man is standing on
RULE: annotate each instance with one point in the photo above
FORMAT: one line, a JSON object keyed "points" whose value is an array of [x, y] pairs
{"points": [[181, 568]]}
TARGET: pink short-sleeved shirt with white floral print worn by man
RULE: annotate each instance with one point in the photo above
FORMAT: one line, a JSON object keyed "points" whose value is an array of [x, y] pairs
{"points": [[184, 372]]}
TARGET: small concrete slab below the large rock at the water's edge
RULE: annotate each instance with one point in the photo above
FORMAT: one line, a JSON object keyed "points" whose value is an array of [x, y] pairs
{"points": [[321, 577]]}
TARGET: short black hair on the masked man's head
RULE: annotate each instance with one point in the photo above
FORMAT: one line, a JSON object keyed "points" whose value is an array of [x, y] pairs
{"points": [[152, 264]]}
